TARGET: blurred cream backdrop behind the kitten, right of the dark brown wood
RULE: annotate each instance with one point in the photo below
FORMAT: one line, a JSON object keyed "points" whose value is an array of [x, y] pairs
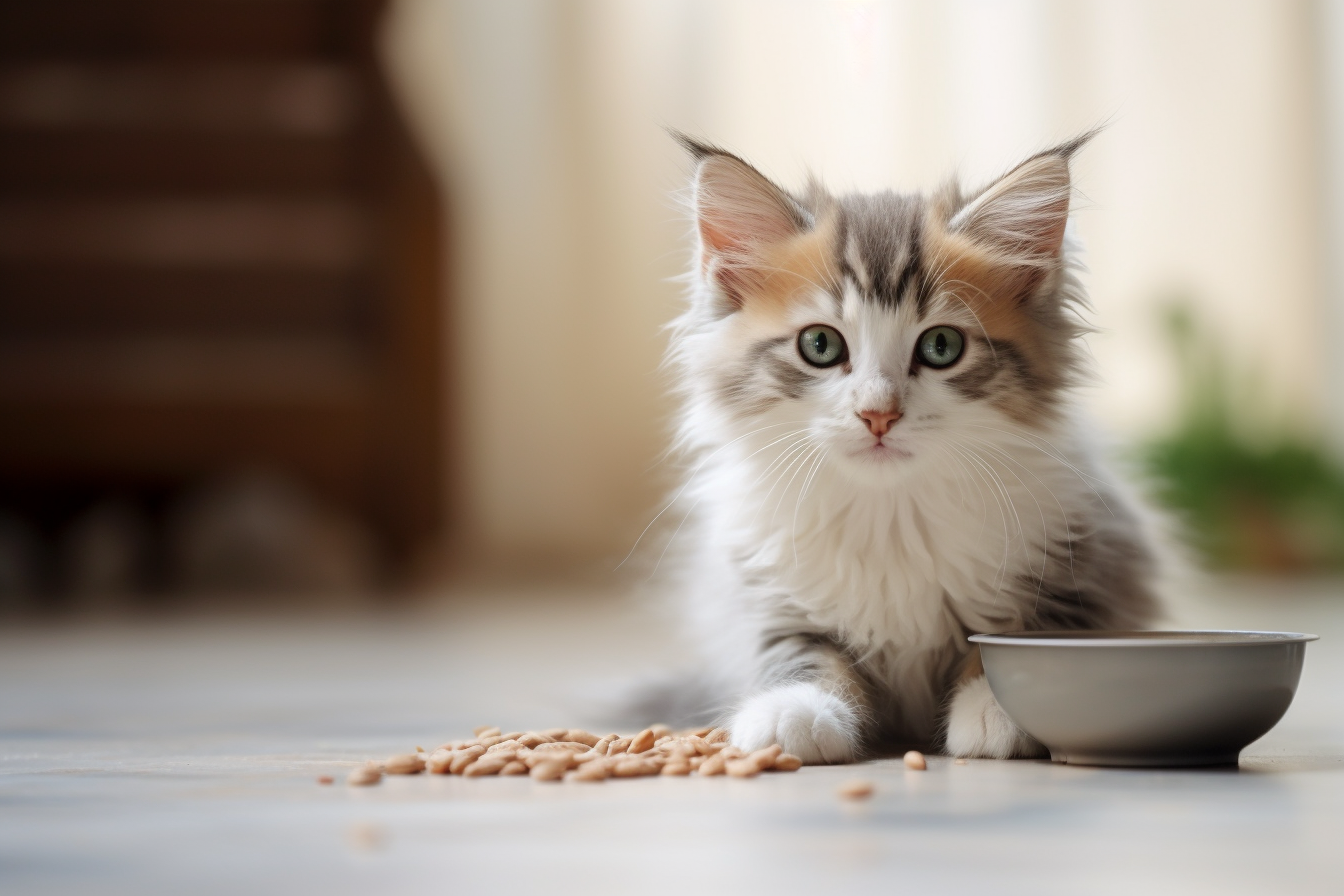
{"points": [[545, 122]]}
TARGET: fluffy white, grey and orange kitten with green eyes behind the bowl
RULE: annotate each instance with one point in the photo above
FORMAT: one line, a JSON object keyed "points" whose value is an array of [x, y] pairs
{"points": [[885, 456]]}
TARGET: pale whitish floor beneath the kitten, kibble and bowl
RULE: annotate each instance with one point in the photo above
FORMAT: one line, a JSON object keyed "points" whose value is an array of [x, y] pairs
{"points": [[181, 757]]}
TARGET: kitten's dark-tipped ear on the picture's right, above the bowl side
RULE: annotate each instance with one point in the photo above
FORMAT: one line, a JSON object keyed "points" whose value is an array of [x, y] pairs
{"points": [[1022, 217]]}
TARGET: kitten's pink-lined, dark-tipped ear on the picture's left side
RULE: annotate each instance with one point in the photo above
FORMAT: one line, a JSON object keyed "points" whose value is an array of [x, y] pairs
{"points": [[739, 214]]}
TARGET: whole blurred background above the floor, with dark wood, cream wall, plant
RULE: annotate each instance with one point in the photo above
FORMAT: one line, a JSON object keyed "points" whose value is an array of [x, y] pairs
{"points": [[323, 300]]}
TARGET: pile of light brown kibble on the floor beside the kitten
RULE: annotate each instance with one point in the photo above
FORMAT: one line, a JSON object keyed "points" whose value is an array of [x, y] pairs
{"points": [[572, 754]]}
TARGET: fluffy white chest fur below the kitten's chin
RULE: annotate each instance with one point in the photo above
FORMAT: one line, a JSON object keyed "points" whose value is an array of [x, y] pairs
{"points": [[908, 570]]}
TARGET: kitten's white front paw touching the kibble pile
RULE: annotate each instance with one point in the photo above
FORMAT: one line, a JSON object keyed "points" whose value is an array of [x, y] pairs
{"points": [[806, 721]]}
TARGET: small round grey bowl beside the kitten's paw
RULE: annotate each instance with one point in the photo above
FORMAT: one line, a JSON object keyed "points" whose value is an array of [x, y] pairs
{"points": [[1144, 698]]}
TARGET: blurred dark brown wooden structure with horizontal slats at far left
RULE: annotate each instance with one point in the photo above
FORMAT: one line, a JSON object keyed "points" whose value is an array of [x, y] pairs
{"points": [[218, 249]]}
